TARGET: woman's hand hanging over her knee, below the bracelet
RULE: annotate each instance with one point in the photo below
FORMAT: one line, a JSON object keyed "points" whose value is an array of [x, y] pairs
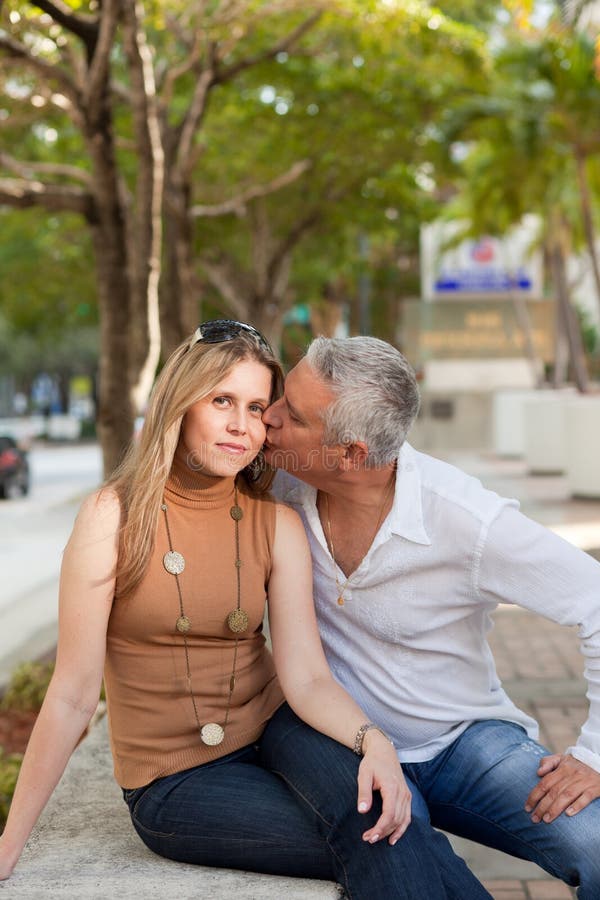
{"points": [[380, 770]]}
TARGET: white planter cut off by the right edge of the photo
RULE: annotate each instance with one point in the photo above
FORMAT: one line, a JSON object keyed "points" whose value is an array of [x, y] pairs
{"points": [[582, 427]]}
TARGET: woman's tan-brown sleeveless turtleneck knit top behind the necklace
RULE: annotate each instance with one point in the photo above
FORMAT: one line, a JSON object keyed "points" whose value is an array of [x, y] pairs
{"points": [[153, 728]]}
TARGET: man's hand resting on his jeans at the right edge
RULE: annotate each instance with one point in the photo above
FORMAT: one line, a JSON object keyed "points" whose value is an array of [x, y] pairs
{"points": [[566, 785]]}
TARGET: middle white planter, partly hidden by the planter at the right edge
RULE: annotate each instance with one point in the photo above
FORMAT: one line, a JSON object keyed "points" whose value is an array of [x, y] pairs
{"points": [[545, 431]]}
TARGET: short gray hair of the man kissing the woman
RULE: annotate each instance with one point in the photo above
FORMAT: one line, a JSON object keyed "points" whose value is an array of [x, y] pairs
{"points": [[377, 394]]}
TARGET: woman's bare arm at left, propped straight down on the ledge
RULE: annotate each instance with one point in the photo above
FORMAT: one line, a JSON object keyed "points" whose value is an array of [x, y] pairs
{"points": [[87, 584]]}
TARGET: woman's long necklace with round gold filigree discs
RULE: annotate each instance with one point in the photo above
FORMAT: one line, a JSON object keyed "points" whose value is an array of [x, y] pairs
{"points": [[211, 733]]}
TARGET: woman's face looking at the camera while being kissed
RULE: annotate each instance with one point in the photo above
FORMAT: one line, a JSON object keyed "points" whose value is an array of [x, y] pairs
{"points": [[223, 432]]}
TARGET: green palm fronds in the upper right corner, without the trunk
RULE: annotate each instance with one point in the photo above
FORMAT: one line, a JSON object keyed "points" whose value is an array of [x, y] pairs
{"points": [[520, 139]]}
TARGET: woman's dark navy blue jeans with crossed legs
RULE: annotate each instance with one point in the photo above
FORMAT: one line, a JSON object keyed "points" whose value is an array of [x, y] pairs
{"points": [[236, 813]]}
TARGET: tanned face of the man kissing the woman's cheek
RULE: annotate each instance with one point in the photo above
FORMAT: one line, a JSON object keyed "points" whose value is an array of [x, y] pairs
{"points": [[295, 426]]}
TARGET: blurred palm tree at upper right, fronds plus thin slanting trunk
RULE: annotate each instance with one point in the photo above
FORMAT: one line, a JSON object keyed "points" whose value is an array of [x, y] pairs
{"points": [[530, 142]]}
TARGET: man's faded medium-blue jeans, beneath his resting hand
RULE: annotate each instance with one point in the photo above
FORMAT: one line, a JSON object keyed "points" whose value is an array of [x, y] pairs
{"points": [[477, 788]]}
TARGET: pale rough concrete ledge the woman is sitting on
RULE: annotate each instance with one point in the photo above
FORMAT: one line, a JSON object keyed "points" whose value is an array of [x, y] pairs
{"points": [[85, 847]]}
